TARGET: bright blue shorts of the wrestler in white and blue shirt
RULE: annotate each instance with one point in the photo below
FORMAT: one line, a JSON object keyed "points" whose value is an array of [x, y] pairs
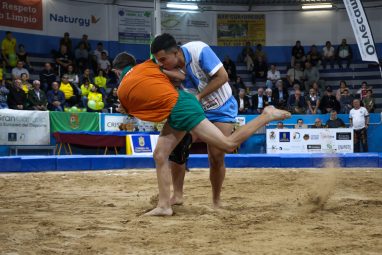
{"points": [[226, 113]]}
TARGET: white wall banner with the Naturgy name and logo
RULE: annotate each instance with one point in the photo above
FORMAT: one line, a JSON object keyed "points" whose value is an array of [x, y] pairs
{"points": [[78, 18]]}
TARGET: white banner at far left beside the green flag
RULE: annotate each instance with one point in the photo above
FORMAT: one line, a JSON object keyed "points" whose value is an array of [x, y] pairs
{"points": [[24, 127]]}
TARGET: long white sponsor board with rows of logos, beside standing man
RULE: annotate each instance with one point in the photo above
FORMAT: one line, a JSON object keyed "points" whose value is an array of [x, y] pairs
{"points": [[315, 140]]}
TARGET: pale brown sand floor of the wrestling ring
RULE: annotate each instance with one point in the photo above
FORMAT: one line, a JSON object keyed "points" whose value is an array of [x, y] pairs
{"points": [[265, 211]]}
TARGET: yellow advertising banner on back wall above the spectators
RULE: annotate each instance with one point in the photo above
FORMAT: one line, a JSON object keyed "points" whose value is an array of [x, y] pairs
{"points": [[237, 29]]}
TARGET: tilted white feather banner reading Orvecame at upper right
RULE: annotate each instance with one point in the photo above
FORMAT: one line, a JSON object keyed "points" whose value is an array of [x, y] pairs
{"points": [[361, 30]]}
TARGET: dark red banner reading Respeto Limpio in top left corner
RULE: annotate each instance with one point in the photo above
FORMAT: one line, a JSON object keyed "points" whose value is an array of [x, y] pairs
{"points": [[21, 13]]}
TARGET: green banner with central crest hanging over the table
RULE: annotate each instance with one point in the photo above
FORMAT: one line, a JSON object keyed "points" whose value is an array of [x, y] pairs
{"points": [[69, 121]]}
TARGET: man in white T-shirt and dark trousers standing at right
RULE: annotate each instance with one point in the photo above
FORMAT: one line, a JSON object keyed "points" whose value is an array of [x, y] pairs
{"points": [[359, 120]]}
